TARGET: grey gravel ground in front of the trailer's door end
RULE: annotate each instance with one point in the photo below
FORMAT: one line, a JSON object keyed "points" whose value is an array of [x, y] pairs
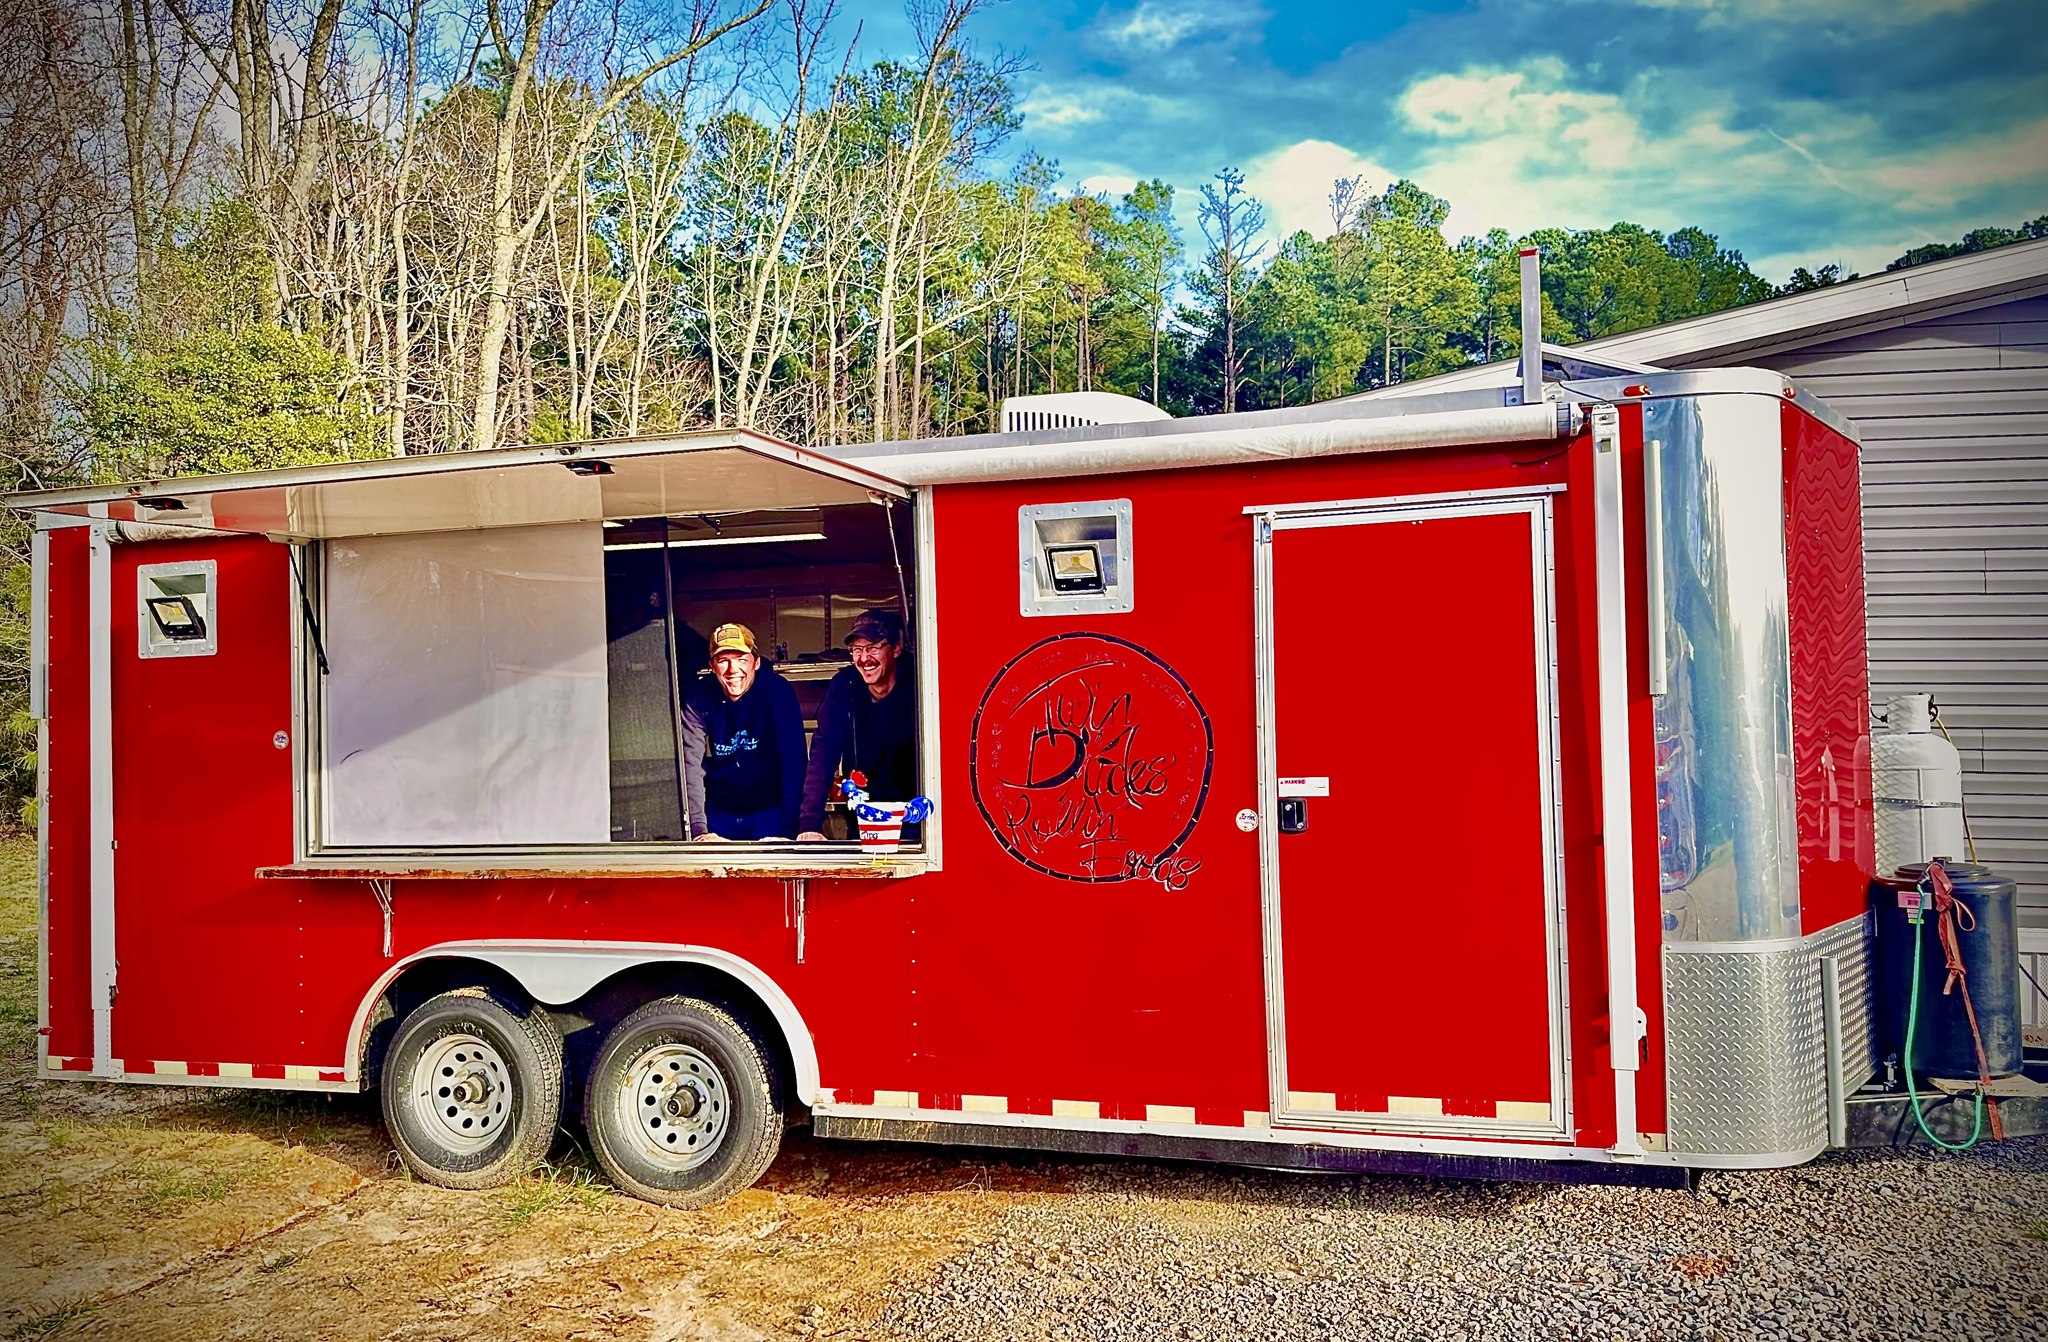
{"points": [[1850, 1247]]}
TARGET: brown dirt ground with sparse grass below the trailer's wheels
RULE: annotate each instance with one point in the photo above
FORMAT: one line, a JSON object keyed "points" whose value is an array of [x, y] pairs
{"points": [[140, 1232]]}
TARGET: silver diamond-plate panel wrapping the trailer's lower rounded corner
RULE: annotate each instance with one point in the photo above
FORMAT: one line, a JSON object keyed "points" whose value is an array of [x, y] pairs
{"points": [[1746, 1056]]}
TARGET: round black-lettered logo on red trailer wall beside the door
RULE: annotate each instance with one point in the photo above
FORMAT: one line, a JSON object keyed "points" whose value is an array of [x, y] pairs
{"points": [[1091, 761]]}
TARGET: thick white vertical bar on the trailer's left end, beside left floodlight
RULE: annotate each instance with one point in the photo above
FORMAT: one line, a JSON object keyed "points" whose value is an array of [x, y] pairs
{"points": [[101, 747]]}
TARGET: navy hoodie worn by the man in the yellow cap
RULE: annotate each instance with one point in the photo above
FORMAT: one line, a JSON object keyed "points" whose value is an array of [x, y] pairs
{"points": [[742, 755]]}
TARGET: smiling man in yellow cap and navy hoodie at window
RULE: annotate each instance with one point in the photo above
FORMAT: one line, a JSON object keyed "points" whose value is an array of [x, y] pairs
{"points": [[742, 745]]}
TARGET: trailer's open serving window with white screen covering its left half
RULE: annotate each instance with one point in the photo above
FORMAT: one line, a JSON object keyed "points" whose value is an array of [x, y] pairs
{"points": [[525, 687]]}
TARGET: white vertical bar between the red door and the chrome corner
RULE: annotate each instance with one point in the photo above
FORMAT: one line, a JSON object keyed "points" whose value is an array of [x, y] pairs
{"points": [[1617, 808]]}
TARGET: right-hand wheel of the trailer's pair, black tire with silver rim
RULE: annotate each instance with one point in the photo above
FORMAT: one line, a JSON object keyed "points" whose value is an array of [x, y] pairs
{"points": [[681, 1107]]}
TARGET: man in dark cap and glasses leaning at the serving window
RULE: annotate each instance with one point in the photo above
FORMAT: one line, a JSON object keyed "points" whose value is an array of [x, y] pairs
{"points": [[869, 722]]}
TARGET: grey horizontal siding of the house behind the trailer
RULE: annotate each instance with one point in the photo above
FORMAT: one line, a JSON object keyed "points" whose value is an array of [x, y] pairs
{"points": [[1955, 425]]}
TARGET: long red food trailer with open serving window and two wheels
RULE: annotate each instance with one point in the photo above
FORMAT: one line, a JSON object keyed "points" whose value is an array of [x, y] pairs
{"points": [[1451, 786]]}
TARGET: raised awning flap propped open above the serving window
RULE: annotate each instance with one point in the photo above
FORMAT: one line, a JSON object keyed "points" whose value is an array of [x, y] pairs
{"points": [[511, 487]]}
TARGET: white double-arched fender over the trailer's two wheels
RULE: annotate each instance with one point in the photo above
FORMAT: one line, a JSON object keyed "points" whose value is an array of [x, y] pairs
{"points": [[560, 972]]}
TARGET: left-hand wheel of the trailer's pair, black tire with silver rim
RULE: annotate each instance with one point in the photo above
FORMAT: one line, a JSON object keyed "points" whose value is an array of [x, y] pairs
{"points": [[472, 1089]]}
